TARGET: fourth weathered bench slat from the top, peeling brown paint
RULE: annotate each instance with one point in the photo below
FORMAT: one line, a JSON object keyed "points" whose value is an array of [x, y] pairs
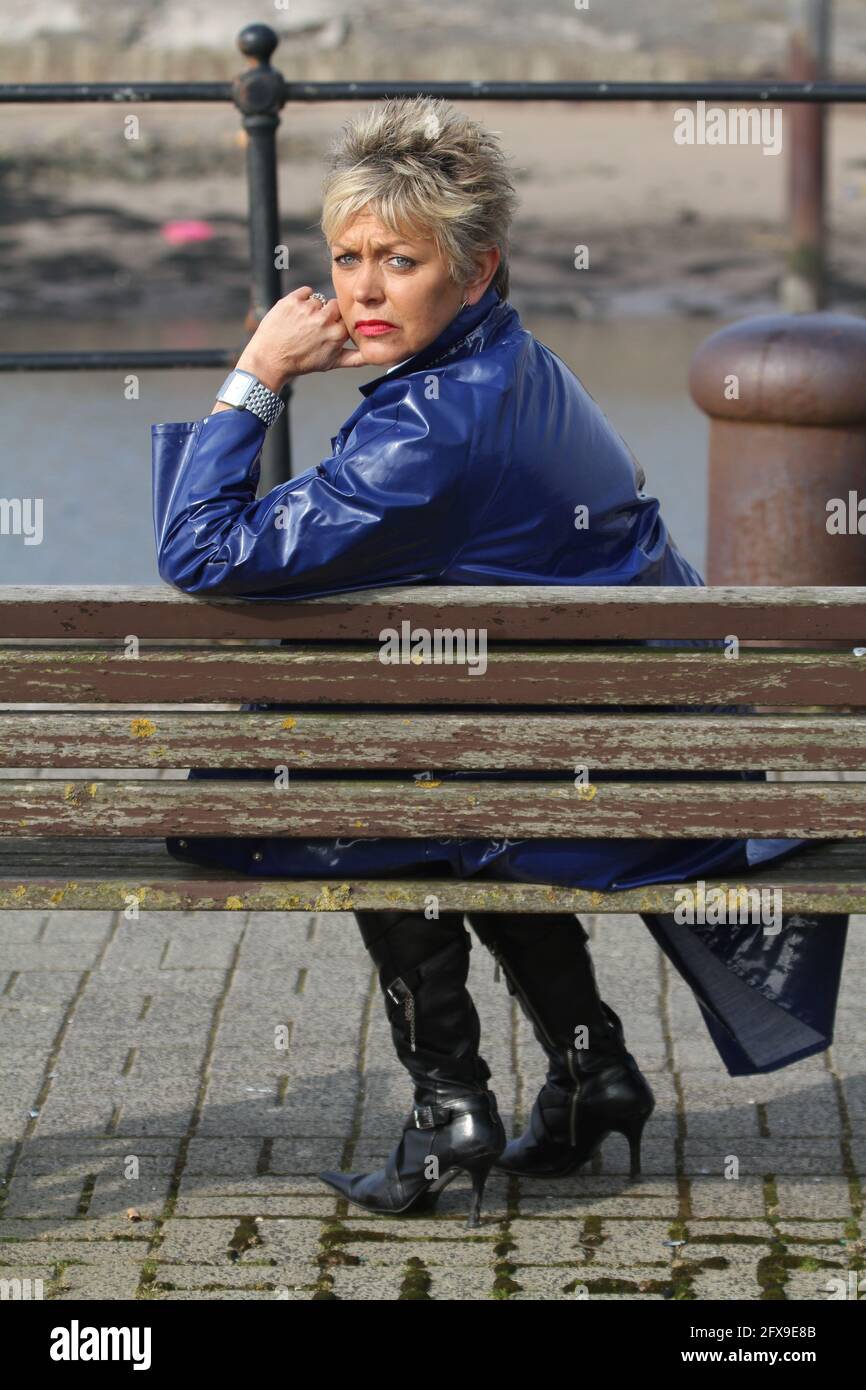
{"points": [[365, 807]]}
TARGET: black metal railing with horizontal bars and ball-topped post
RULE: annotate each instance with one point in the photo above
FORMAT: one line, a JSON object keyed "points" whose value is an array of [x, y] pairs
{"points": [[261, 92]]}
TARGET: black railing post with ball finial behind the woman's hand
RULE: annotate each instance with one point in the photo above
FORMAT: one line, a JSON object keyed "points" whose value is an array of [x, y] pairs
{"points": [[259, 95]]}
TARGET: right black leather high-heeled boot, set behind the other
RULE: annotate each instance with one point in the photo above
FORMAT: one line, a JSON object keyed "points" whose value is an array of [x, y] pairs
{"points": [[591, 1089]]}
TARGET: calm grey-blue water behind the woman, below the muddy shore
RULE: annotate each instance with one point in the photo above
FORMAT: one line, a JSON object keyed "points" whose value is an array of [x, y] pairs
{"points": [[76, 441]]}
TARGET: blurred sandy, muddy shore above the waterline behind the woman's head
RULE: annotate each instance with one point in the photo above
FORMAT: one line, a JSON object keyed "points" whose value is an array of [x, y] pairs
{"points": [[696, 231]]}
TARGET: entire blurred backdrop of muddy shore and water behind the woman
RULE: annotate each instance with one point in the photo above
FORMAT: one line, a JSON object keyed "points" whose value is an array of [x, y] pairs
{"points": [[680, 240]]}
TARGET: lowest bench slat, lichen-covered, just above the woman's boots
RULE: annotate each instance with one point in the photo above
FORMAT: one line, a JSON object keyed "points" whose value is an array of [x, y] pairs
{"points": [[106, 876]]}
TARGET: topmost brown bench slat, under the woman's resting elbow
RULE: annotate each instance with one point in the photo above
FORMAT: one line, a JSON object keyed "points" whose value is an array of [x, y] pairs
{"points": [[512, 612]]}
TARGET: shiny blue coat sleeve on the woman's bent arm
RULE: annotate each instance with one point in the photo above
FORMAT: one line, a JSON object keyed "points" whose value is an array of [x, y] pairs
{"points": [[391, 508]]}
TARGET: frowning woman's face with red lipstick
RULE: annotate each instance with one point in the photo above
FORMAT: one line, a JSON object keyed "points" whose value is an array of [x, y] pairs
{"points": [[394, 293]]}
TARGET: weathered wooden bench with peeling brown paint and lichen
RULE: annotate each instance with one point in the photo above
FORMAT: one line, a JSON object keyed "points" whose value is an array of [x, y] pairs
{"points": [[88, 794]]}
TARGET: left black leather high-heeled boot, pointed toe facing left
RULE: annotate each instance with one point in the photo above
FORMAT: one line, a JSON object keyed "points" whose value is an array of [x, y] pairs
{"points": [[454, 1125]]}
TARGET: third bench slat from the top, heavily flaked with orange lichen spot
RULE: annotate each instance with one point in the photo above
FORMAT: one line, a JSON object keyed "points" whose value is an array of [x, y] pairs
{"points": [[450, 742]]}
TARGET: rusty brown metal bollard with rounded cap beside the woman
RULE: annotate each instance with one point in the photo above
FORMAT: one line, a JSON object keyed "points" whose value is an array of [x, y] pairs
{"points": [[786, 395]]}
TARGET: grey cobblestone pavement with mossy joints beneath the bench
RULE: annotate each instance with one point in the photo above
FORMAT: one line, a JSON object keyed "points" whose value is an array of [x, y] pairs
{"points": [[159, 1145]]}
